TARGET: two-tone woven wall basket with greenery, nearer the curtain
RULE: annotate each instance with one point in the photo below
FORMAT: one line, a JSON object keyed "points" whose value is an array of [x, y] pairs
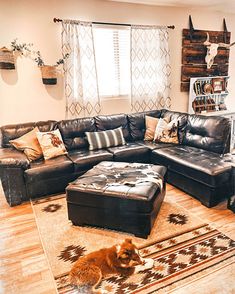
{"points": [[49, 72]]}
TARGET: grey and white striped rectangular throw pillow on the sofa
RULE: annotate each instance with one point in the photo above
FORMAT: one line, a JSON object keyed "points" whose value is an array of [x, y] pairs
{"points": [[104, 139]]}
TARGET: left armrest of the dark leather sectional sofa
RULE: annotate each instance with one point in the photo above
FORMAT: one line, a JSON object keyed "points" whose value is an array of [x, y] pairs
{"points": [[13, 163]]}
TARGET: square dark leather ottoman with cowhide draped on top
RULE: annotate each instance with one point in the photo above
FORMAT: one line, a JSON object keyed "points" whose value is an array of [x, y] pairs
{"points": [[118, 195]]}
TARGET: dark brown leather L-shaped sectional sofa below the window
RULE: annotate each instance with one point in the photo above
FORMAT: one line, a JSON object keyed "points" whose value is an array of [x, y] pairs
{"points": [[195, 165]]}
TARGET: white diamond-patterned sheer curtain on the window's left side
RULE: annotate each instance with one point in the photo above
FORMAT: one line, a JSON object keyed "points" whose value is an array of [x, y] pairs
{"points": [[81, 88]]}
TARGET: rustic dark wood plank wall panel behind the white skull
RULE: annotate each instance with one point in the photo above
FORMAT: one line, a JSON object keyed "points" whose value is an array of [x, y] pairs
{"points": [[194, 53]]}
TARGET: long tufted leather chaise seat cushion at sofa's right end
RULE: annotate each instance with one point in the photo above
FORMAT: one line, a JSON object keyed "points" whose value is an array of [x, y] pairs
{"points": [[200, 165]]}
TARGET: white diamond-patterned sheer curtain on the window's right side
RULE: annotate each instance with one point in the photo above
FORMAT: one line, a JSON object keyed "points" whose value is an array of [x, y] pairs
{"points": [[150, 68]]}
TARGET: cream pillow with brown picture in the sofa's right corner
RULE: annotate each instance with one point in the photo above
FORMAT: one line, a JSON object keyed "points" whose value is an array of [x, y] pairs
{"points": [[166, 132]]}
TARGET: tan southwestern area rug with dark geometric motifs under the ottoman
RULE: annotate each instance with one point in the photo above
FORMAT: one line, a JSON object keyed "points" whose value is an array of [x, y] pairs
{"points": [[183, 247]]}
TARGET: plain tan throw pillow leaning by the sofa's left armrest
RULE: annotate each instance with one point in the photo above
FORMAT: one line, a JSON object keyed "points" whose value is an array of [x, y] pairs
{"points": [[29, 144]]}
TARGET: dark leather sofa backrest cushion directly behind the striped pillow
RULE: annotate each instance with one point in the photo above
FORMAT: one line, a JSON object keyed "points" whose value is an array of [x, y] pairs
{"points": [[114, 121]]}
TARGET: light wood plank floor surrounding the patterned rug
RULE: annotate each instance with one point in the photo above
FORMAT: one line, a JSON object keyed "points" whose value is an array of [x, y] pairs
{"points": [[24, 267]]}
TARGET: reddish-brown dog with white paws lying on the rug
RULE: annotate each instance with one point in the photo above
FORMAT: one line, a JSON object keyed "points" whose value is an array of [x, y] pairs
{"points": [[123, 259]]}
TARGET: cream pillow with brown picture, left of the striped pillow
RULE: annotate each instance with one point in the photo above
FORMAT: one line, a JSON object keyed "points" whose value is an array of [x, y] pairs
{"points": [[51, 143]]}
